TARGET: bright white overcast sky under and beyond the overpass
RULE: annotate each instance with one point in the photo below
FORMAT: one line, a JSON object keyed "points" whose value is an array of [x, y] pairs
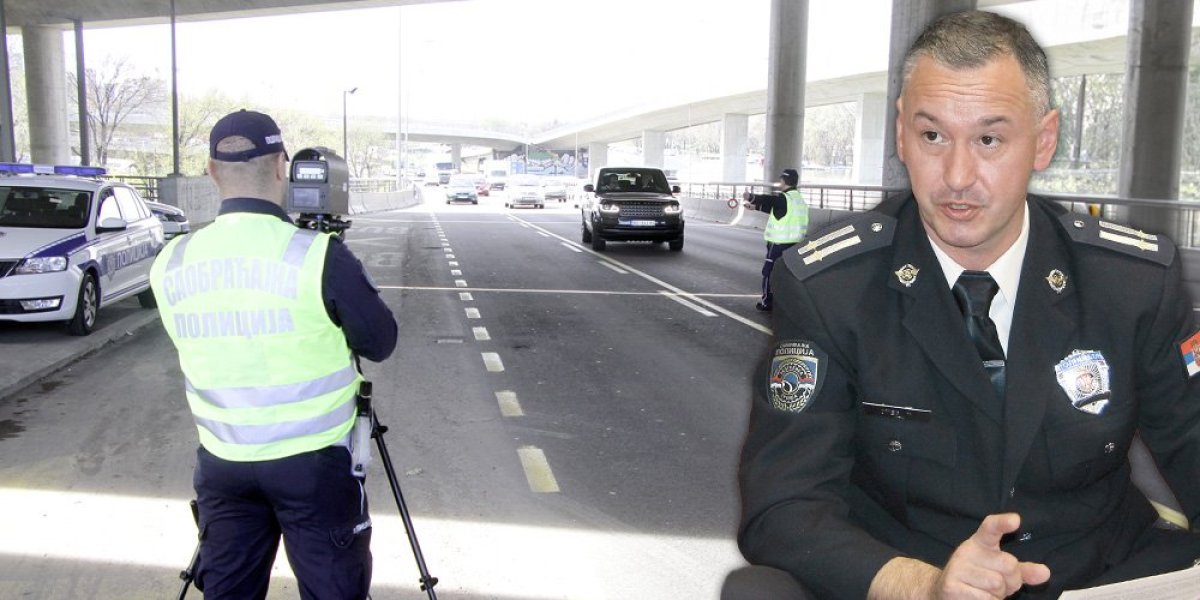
{"points": [[518, 61]]}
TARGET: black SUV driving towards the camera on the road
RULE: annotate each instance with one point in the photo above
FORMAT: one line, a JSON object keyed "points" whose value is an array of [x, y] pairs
{"points": [[633, 205]]}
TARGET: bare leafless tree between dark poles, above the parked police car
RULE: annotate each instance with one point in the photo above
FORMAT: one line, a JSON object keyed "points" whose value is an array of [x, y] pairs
{"points": [[115, 93]]}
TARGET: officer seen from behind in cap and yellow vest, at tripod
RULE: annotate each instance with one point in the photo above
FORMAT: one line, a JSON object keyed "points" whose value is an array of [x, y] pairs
{"points": [[267, 319]]}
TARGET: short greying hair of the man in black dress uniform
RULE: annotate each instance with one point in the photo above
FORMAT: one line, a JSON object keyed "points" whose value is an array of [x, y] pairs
{"points": [[973, 39]]}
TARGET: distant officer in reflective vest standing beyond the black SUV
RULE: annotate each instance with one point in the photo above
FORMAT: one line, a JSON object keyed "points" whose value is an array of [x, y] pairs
{"points": [[787, 225]]}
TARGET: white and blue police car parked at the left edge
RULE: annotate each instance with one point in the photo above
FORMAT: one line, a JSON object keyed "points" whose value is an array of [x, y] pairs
{"points": [[70, 244]]}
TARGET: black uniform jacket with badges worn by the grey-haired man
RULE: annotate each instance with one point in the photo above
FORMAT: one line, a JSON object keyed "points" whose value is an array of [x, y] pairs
{"points": [[875, 431]]}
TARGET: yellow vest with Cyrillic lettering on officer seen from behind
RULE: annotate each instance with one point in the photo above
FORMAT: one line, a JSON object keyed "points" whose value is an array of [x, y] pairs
{"points": [[267, 374]]}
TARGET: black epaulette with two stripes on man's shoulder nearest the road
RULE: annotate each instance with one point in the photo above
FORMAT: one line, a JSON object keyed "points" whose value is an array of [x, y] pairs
{"points": [[855, 236]]}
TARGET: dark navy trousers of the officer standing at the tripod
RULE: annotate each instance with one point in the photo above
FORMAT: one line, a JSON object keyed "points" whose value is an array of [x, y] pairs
{"points": [[311, 499]]}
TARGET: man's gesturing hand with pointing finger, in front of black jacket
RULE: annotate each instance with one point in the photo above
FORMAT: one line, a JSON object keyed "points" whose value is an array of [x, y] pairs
{"points": [[980, 569]]}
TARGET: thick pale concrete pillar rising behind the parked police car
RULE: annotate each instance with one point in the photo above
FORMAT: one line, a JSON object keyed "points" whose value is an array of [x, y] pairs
{"points": [[46, 89]]}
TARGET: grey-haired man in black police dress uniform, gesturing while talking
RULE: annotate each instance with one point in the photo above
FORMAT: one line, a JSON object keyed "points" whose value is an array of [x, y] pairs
{"points": [[910, 441]]}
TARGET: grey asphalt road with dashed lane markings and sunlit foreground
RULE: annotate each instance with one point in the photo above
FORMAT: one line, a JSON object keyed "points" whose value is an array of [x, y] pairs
{"points": [[566, 424]]}
